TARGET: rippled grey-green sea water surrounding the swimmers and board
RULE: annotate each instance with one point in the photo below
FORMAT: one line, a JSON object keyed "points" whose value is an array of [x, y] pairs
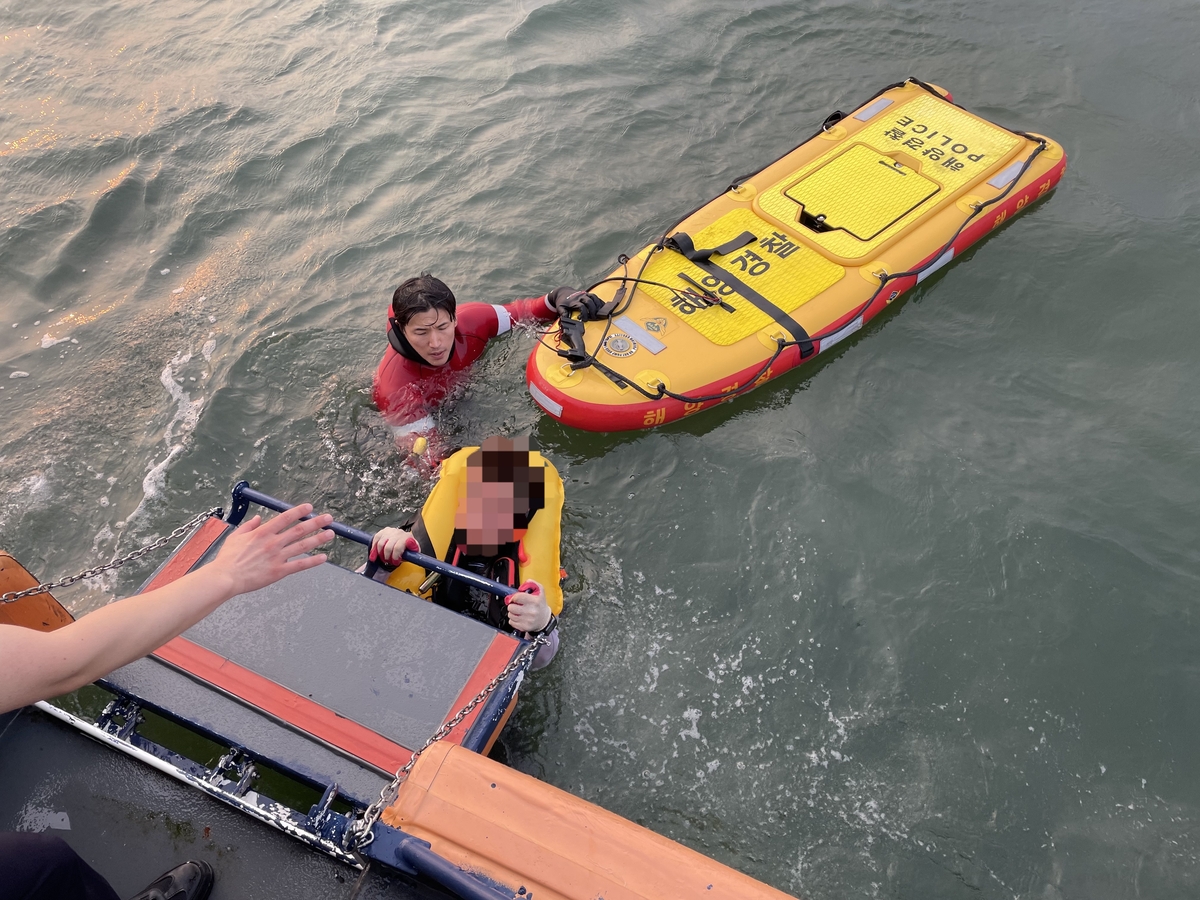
{"points": [[916, 621]]}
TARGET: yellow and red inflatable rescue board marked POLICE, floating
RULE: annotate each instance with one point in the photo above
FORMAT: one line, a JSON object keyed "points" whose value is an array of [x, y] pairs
{"points": [[793, 260]]}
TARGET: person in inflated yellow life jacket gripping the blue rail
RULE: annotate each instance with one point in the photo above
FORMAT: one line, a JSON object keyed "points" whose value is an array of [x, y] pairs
{"points": [[496, 511]]}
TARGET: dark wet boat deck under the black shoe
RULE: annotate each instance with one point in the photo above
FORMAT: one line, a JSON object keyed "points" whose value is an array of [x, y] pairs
{"points": [[130, 823]]}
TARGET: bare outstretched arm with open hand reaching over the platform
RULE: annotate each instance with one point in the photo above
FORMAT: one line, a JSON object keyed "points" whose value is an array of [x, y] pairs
{"points": [[45, 664]]}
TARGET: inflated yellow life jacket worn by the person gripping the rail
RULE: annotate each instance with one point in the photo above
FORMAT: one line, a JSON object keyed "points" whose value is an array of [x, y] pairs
{"points": [[435, 530]]}
